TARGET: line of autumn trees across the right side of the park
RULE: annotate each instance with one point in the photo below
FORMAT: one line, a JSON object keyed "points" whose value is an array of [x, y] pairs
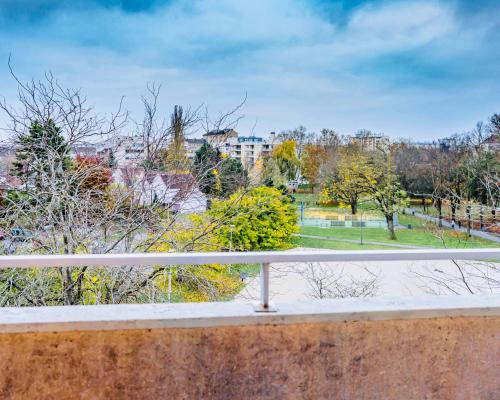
{"points": [[462, 171]]}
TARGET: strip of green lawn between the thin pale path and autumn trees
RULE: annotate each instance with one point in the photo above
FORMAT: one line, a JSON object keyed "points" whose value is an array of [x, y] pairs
{"points": [[417, 237]]}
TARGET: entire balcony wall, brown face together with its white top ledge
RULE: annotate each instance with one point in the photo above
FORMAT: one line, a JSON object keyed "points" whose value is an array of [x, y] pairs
{"points": [[433, 348]]}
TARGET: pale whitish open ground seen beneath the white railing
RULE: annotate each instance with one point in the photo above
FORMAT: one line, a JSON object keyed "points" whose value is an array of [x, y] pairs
{"points": [[294, 281]]}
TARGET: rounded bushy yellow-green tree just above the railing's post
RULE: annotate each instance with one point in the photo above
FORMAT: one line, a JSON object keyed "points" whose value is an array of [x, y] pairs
{"points": [[262, 219]]}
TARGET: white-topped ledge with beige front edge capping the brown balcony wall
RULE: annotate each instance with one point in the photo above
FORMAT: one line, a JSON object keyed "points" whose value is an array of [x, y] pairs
{"points": [[201, 315]]}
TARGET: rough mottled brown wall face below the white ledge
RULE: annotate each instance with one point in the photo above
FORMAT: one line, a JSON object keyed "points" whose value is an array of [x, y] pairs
{"points": [[446, 358]]}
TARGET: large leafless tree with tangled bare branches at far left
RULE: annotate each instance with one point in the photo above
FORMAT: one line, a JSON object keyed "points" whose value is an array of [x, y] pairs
{"points": [[68, 209]]}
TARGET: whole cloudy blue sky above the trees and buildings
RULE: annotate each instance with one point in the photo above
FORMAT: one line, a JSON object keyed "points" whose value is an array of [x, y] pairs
{"points": [[412, 69]]}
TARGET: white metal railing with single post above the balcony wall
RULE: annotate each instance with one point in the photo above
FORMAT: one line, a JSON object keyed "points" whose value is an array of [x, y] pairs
{"points": [[263, 257]]}
